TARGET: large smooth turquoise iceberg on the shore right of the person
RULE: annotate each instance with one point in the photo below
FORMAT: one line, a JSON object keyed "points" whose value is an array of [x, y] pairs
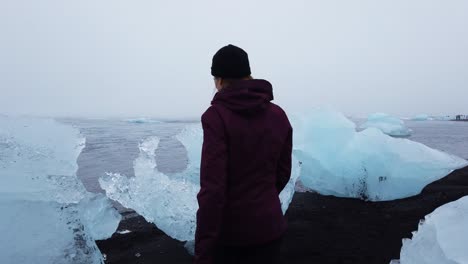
{"points": [[337, 160]]}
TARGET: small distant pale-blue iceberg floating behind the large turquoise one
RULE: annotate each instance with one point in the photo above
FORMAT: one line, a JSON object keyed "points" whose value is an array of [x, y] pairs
{"points": [[388, 124]]}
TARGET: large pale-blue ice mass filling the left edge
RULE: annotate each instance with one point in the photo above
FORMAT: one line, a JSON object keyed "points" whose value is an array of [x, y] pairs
{"points": [[47, 215]]}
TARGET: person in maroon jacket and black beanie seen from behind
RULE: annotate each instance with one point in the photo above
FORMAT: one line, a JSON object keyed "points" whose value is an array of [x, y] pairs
{"points": [[245, 164]]}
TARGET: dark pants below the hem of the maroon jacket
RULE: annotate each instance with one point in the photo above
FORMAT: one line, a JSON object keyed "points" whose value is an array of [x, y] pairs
{"points": [[268, 253]]}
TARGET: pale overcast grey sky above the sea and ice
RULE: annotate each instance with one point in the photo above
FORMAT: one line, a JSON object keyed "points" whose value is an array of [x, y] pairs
{"points": [[115, 58]]}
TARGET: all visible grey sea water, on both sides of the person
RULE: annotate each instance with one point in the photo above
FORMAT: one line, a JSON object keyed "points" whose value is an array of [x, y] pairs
{"points": [[112, 145]]}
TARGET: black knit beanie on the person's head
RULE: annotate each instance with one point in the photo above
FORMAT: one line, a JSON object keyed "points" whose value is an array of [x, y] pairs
{"points": [[230, 62]]}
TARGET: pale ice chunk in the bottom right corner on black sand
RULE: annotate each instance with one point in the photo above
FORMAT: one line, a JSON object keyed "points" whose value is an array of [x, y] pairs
{"points": [[441, 238]]}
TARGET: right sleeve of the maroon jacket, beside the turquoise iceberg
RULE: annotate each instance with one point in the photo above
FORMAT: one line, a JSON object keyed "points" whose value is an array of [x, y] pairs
{"points": [[283, 173]]}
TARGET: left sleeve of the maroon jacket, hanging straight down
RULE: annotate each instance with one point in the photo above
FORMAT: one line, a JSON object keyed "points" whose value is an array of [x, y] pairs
{"points": [[213, 177]]}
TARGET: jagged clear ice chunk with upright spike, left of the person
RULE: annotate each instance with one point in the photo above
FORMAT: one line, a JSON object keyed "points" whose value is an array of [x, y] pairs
{"points": [[168, 202]]}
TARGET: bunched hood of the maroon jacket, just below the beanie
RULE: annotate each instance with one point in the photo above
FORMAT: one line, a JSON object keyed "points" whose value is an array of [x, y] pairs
{"points": [[245, 96]]}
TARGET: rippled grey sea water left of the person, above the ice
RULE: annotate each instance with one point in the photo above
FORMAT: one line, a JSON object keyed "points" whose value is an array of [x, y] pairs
{"points": [[112, 146]]}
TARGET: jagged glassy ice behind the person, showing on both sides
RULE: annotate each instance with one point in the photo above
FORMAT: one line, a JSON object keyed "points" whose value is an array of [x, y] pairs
{"points": [[170, 201]]}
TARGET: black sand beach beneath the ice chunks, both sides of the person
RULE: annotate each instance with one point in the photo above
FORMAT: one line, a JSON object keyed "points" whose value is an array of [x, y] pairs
{"points": [[322, 229]]}
